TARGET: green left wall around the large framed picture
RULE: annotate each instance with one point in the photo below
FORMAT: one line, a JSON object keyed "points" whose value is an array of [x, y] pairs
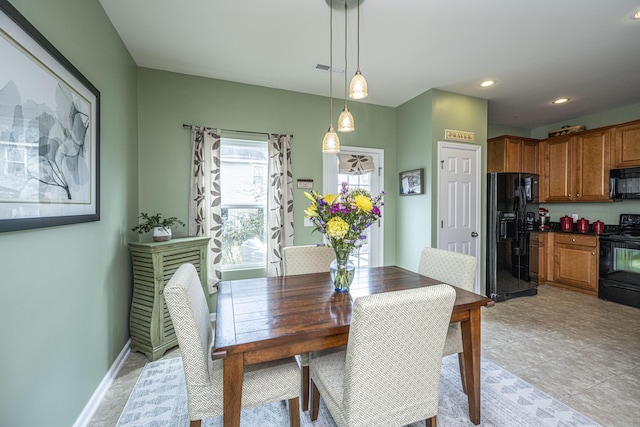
{"points": [[66, 290]]}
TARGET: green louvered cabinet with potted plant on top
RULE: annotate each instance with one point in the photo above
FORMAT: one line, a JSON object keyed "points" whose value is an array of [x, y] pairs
{"points": [[153, 265]]}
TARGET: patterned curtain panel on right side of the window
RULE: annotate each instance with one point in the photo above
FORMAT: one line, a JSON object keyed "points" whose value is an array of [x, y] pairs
{"points": [[279, 202]]}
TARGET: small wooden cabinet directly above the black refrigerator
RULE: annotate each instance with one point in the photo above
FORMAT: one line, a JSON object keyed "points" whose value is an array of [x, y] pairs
{"points": [[512, 154]]}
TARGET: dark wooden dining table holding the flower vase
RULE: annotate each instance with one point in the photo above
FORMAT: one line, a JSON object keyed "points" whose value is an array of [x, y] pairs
{"points": [[271, 318]]}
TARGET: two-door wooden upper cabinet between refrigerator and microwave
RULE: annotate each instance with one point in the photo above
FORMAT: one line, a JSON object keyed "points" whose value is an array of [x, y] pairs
{"points": [[575, 168]]}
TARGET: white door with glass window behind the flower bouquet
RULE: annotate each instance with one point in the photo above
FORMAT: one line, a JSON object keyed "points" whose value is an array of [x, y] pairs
{"points": [[371, 253]]}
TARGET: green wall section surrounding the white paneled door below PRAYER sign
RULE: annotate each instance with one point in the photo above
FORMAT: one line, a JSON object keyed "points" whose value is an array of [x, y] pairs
{"points": [[421, 124]]}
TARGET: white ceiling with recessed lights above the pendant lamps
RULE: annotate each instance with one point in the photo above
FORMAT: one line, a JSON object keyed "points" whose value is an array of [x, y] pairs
{"points": [[537, 51]]}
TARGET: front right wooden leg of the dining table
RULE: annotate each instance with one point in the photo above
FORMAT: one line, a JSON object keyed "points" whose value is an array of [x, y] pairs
{"points": [[471, 359]]}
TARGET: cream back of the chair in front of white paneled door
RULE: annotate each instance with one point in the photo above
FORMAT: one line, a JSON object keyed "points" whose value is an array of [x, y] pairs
{"points": [[449, 267]]}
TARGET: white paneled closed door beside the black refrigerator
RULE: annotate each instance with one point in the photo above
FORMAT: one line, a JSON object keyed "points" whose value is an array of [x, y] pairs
{"points": [[459, 200]]}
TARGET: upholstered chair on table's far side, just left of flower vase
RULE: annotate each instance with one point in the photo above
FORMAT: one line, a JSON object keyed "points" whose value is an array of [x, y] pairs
{"points": [[302, 260]]}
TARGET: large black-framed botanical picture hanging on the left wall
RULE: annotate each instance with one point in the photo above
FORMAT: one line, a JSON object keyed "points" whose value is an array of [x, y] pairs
{"points": [[49, 132]]}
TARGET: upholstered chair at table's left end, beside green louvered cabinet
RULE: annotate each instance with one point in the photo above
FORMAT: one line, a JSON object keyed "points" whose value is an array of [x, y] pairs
{"points": [[263, 383]]}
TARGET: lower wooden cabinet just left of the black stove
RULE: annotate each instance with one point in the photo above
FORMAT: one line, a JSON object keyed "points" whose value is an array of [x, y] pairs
{"points": [[575, 259]]}
